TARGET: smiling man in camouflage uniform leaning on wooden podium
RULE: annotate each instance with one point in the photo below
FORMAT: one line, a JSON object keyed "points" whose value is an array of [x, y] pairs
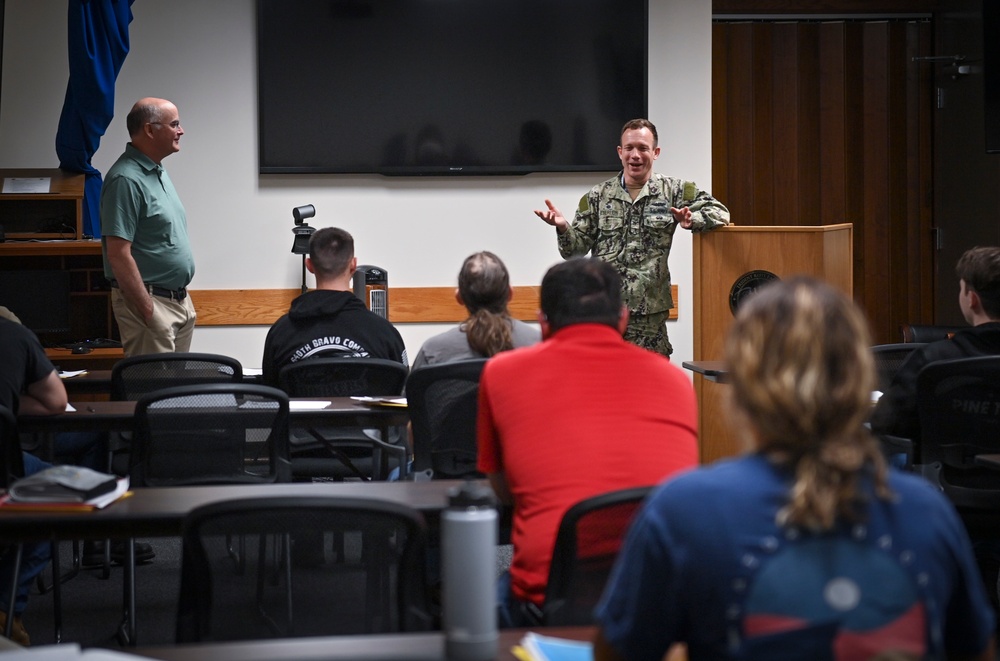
{"points": [[629, 221]]}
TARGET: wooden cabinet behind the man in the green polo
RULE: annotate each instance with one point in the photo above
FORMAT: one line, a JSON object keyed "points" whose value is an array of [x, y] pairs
{"points": [[44, 232]]}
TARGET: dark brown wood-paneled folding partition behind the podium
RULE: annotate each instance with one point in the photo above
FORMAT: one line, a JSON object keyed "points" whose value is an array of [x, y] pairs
{"points": [[823, 122]]}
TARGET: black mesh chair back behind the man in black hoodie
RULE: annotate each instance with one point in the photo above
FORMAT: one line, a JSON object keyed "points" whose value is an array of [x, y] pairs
{"points": [[343, 377]]}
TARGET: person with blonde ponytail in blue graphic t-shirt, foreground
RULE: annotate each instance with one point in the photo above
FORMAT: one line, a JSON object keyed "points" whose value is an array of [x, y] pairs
{"points": [[808, 547]]}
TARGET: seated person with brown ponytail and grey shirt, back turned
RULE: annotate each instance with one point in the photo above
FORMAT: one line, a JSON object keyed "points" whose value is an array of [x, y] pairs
{"points": [[484, 289]]}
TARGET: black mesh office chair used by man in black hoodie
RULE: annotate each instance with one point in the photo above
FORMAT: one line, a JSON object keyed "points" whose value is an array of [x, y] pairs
{"points": [[340, 453]]}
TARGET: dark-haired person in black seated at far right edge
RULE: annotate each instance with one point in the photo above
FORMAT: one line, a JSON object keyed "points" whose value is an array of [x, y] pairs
{"points": [[978, 271]]}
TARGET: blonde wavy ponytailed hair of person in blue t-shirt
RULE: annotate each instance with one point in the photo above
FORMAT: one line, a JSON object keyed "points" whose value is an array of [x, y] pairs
{"points": [[802, 373]]}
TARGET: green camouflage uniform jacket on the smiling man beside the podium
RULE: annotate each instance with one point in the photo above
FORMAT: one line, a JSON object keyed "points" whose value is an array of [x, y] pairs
{"points": [[635, 236]]}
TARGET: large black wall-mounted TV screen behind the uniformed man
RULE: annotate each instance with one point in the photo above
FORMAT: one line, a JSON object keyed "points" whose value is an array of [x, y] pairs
{"points": [[412, 87]]}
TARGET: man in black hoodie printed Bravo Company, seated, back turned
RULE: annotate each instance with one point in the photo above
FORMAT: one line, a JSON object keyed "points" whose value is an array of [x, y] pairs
{"points": [[330, 320]]}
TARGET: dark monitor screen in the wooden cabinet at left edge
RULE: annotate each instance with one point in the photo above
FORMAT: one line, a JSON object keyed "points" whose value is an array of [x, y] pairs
{"points": [[39, 298]]}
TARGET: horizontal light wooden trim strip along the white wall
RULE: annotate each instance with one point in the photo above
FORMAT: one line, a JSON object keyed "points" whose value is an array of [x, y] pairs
{"points": [[407, 305]]}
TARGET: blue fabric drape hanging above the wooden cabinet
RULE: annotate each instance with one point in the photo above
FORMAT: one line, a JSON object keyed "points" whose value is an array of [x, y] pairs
{"points": [[98, 44]]}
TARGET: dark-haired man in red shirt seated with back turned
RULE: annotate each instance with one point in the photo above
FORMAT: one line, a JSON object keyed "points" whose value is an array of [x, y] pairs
{"points": [[579, 414]]}
